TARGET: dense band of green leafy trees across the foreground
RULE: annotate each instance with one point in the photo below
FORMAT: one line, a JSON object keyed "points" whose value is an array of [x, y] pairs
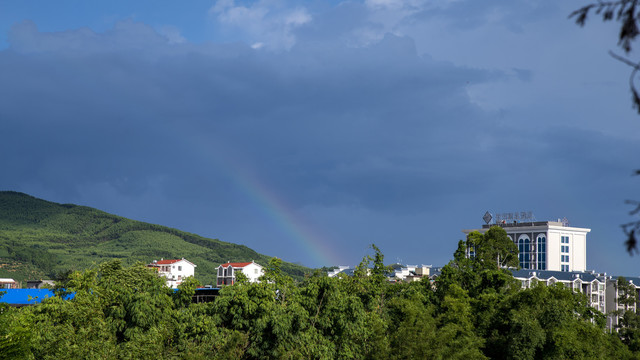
{"points": [[473, 311]]}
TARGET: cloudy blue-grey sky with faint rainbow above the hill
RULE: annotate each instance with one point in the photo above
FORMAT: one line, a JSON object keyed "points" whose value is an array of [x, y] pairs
{"points": [[308, 130]]}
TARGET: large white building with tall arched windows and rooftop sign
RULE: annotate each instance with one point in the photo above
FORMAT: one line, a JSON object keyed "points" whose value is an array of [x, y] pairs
{"points": [[546, 245]]}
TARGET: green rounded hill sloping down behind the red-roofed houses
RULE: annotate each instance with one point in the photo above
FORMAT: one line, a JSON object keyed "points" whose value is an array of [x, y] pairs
{"points": [[39, 239]]}
